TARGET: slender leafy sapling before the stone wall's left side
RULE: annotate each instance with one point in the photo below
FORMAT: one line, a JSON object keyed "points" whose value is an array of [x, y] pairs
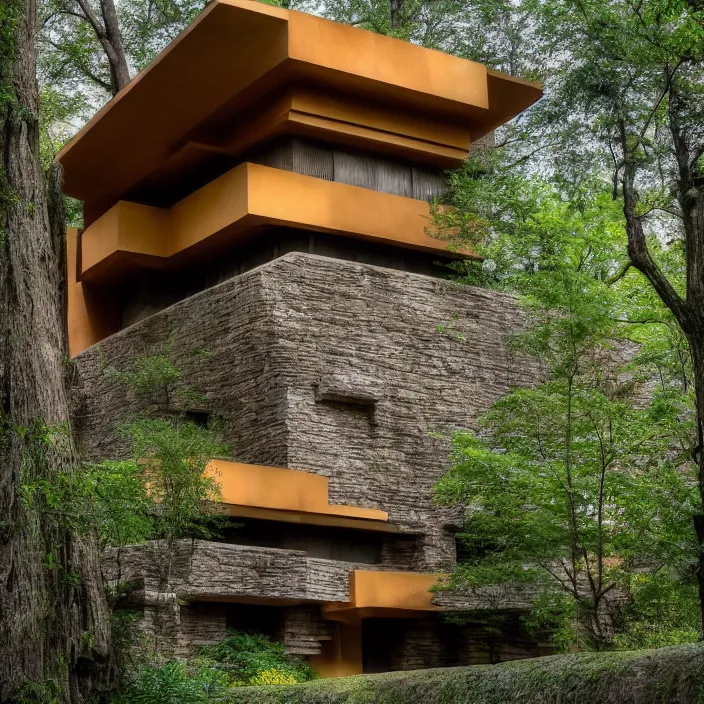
{"points": [[166, 491]]}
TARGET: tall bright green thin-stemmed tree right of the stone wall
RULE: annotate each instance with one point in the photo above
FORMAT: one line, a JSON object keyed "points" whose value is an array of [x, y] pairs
{"points": [[572, 485]]}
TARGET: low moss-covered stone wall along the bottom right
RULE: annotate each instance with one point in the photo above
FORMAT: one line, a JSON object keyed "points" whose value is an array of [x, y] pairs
{"points": [[664, 676]]}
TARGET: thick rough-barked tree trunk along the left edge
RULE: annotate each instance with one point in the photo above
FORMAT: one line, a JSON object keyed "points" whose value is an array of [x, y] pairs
{"points": [[54, 619]]}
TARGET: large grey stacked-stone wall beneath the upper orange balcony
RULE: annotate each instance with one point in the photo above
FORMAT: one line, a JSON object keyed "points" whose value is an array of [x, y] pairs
{"points": [[350, 371]]}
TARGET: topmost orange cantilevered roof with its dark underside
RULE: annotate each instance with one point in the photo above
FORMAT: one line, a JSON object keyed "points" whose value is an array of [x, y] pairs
{"points": [[245, 72]]}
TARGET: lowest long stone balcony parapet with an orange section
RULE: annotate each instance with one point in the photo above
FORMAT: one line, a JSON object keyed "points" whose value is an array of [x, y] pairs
{"points": [[209, 571]]}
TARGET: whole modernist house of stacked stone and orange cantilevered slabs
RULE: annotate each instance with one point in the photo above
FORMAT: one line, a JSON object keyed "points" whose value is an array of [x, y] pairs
{"points": [[257, 201]]}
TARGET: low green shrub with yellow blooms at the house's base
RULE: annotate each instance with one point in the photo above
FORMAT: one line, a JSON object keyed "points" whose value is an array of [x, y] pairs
{"points": [[245, 657]]}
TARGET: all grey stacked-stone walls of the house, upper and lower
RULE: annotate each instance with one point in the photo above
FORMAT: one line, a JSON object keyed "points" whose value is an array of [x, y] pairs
{"points": [[350, 371]]}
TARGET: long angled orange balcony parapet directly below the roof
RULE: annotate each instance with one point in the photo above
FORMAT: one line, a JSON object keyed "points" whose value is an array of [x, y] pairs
{"points": [[131, 236]]}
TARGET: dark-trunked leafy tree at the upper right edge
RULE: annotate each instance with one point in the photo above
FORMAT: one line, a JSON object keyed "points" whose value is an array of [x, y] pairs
{"points": [[625, 88]]}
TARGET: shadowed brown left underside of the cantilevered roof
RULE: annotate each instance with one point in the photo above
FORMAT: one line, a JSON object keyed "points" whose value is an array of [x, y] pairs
{"points": [[227, 48]]}
